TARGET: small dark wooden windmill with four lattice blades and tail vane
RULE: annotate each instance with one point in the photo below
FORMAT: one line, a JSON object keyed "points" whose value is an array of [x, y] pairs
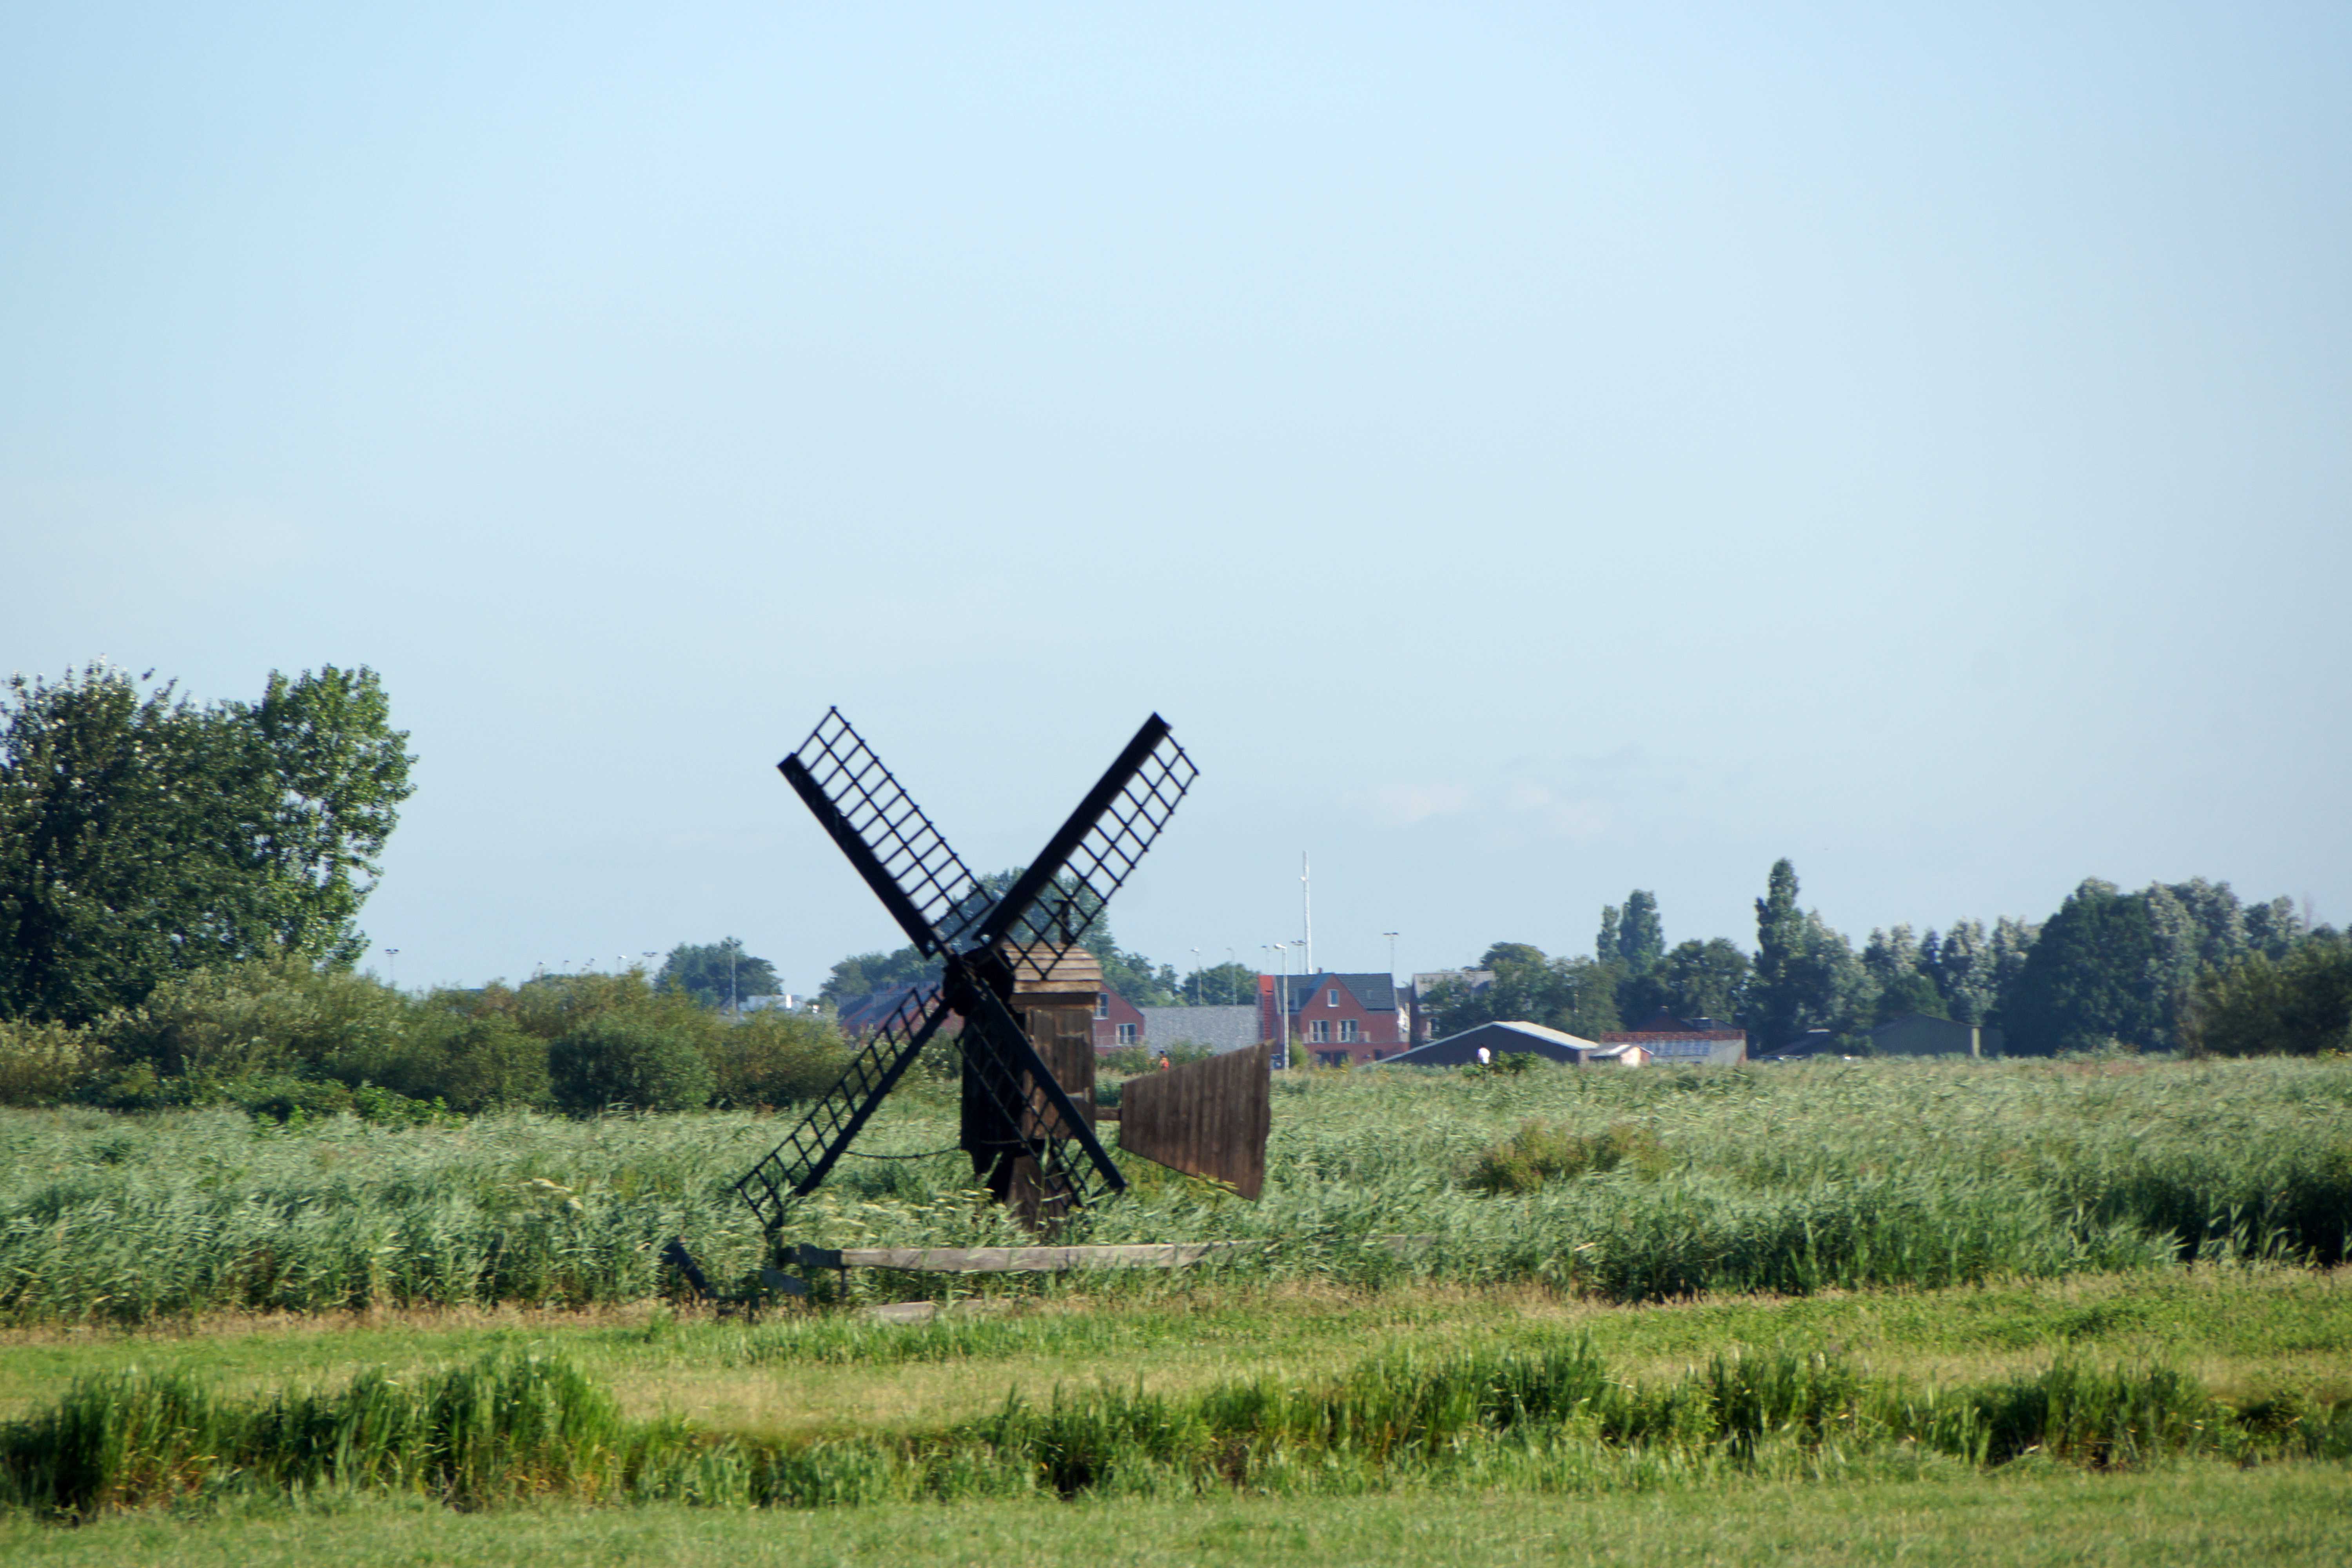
{"points": [[1017, 977]]}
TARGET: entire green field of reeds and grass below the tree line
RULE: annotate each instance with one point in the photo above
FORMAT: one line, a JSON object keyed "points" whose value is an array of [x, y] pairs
{"points": [[2080, 1311]]}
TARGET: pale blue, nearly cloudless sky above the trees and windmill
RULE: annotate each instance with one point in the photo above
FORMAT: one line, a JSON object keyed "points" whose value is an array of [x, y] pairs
{"points": [[1528, 453]]}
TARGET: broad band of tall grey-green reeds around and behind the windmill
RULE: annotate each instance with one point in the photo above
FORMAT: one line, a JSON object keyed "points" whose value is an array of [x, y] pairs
{"points": [[1779, 1179]]}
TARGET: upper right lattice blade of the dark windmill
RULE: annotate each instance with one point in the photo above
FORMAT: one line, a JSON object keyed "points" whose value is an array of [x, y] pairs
{"points": [[1095, 852]]}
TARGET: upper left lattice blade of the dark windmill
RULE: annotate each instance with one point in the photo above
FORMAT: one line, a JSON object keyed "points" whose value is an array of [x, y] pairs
{"points": [[904, 859]]}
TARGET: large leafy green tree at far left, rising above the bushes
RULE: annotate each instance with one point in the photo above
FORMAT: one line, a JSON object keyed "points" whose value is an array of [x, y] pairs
{"points": [[145, 838]]}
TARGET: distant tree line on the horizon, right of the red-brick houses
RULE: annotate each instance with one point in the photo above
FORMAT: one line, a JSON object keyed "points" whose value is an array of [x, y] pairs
{"points": [[2172, 967]]}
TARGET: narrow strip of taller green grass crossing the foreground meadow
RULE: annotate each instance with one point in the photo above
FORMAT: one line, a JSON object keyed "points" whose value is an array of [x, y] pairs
{"points": [[514, 1428]]}
